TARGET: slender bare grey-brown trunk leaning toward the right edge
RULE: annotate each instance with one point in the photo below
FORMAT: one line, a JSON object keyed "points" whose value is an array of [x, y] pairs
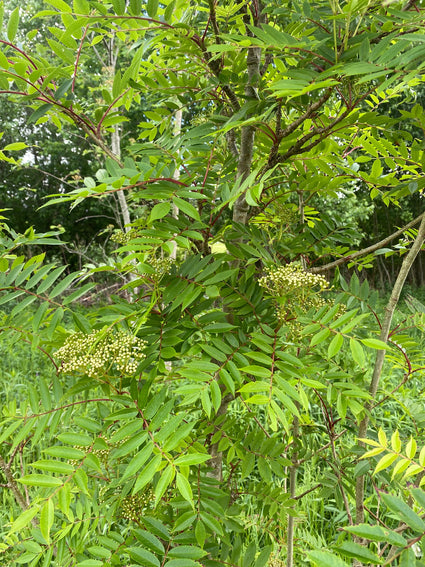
{"points": [[380, 356]]}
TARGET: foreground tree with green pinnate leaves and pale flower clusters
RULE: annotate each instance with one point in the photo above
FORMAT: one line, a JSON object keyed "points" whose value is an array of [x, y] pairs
{"points": [[194, 408]]}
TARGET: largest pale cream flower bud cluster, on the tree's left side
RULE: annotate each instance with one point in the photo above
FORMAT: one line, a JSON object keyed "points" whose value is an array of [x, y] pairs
{"points": [[101, 352]]}
